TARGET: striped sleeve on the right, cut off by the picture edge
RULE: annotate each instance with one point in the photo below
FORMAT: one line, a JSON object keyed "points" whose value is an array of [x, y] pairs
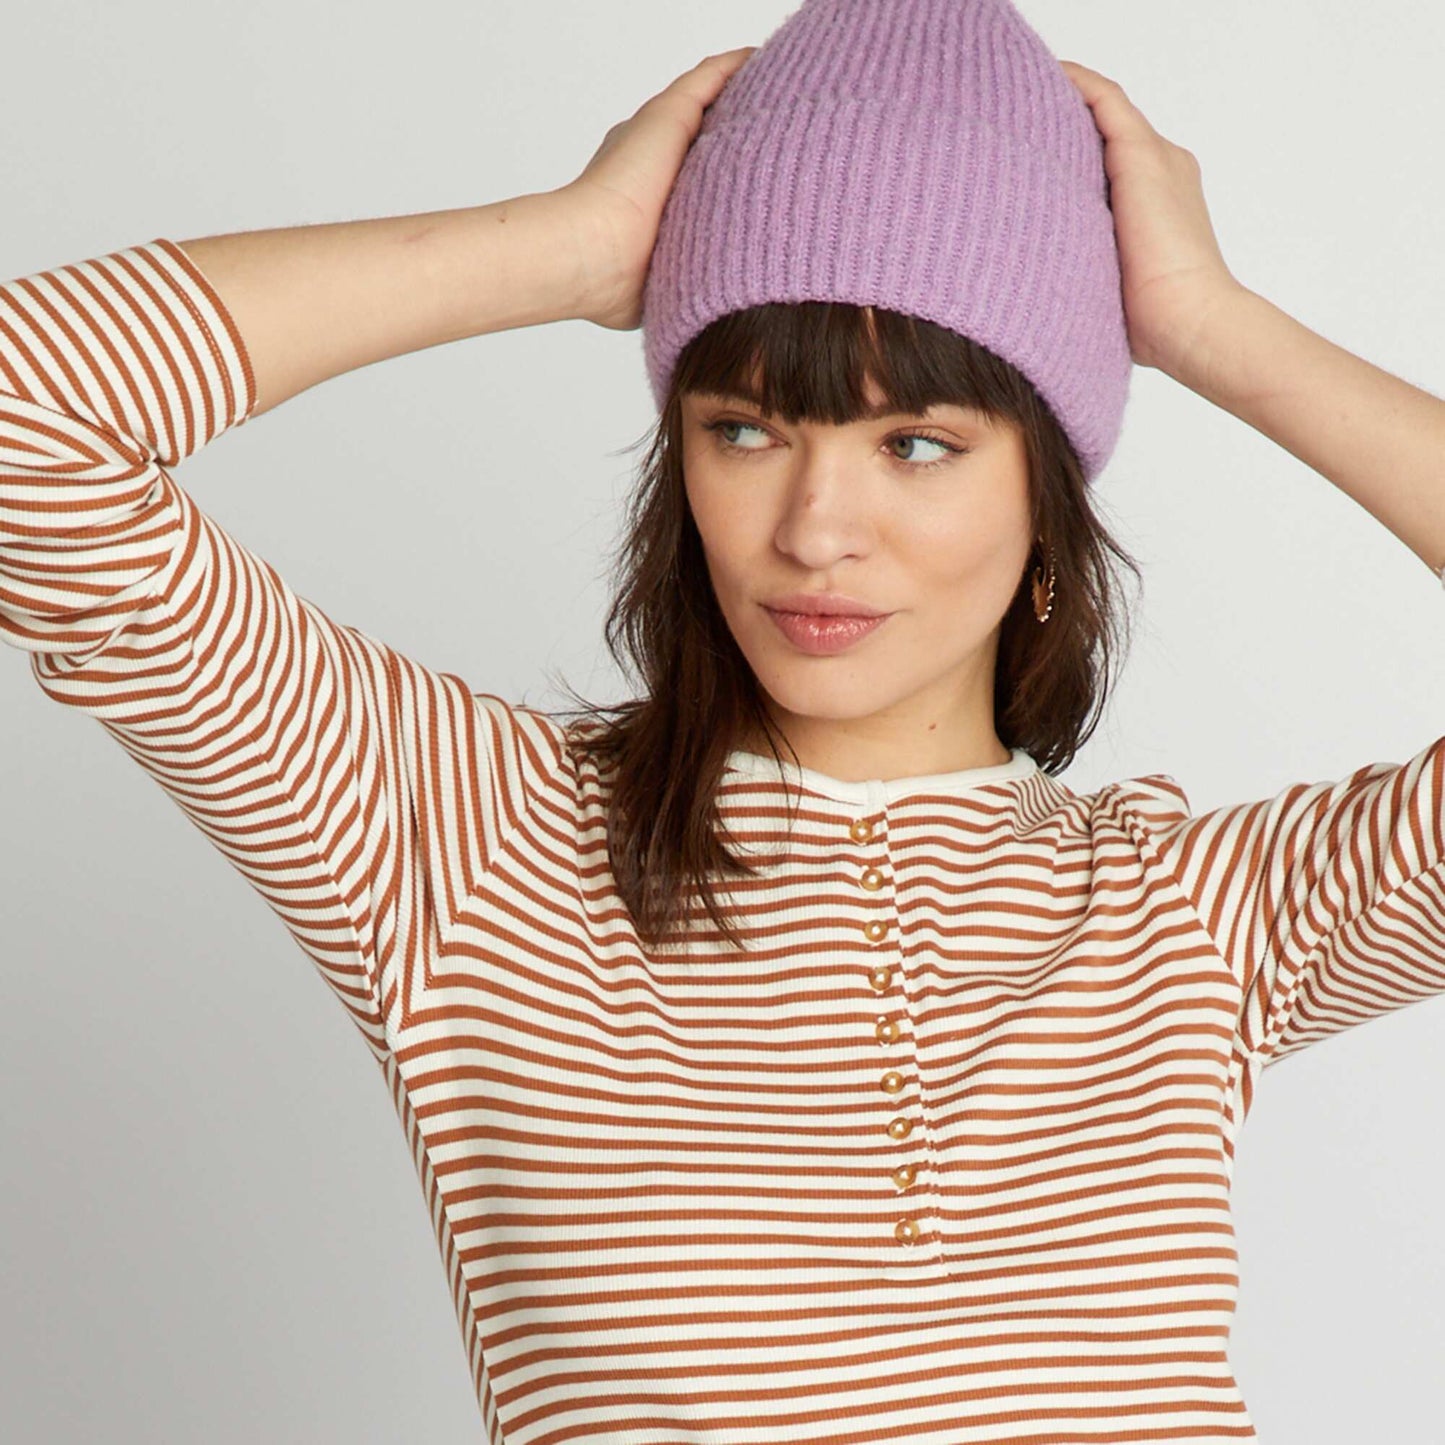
{"points": [[1327, 900]]}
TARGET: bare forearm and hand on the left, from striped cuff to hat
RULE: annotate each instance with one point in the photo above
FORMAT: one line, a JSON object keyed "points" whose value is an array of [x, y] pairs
{"points": [[316, 301]]}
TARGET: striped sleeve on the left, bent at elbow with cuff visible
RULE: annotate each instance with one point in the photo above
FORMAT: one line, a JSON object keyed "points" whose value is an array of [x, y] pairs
{"points": [[361, 794]]}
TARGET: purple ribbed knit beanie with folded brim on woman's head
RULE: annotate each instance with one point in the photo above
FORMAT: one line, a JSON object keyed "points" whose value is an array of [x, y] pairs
{"points": [[930, 157]]}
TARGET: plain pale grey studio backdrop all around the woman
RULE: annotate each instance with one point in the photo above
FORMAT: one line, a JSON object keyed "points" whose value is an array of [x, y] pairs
{"points": [[210, 1226]]}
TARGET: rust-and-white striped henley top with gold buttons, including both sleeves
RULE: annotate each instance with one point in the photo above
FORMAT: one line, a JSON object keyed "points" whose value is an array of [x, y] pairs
{"points": [[944, 1157]]}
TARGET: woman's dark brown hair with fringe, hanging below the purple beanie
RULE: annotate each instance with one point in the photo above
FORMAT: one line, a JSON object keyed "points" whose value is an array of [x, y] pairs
{"points": [[668, 748]]}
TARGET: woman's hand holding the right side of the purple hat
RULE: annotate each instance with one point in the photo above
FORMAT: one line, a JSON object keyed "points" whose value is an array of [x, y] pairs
{"points": [[1174, 274]]}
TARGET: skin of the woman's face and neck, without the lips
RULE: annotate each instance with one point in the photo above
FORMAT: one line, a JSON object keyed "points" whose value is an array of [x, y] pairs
{"points": [[859, 511]]}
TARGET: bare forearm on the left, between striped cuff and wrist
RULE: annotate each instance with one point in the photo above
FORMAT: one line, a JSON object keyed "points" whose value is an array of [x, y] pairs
{"points": [[316, 301]]}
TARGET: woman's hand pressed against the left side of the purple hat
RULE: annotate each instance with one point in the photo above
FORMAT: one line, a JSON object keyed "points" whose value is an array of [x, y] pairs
{"points": [[621, 197]]}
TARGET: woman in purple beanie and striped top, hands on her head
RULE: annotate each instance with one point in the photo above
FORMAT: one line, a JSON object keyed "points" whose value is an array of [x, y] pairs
{"points": [[887, 1090]]}
